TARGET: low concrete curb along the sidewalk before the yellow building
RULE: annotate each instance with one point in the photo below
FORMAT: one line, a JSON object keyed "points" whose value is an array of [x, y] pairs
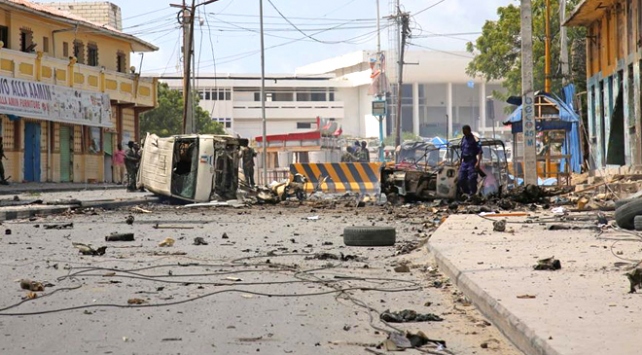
{"points": [[53, 210]]}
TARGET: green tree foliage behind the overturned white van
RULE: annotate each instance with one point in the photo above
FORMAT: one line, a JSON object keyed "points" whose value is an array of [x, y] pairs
{"points": [[167, 118]]}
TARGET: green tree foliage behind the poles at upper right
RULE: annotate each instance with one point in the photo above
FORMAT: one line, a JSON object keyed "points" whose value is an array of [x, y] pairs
{"points": [[498, 50]]}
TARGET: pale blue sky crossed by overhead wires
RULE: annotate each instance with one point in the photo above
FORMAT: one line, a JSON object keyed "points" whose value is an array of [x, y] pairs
{"points": [[227, 34]]}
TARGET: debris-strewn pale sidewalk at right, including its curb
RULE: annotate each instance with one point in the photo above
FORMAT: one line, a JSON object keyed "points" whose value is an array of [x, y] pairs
{"points": [[584, 308]]}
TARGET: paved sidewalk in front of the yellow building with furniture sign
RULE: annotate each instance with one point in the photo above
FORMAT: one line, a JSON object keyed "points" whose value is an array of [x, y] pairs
{"points": [[48, 199]]}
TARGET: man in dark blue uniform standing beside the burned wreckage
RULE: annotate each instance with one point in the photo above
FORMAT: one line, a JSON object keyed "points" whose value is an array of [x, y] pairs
{"points": [[471, 154]]}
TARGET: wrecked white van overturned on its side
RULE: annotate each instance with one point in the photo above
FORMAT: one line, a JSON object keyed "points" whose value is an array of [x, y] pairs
{"points": [[195, 168]]}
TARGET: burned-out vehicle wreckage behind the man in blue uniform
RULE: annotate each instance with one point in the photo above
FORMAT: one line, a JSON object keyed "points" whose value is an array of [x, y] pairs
{"points": [[426, 172]]}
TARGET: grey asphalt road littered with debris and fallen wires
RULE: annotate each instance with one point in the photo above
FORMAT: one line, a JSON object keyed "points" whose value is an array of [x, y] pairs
{"points": [[260, 290]]}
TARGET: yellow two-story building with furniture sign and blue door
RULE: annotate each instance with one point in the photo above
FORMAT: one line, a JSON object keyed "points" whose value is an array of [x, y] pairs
{"points": [[68, 95]]}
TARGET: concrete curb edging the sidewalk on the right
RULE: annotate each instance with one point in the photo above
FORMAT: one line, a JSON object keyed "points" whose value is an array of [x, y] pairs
{"points": [[511, 326]]}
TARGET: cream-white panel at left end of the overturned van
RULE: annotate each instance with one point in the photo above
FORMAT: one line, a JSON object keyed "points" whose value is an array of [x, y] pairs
{"points": [[155, 172]]}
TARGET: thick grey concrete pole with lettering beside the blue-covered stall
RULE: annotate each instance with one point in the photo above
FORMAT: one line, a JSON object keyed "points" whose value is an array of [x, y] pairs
{"points": [[528, 111]]}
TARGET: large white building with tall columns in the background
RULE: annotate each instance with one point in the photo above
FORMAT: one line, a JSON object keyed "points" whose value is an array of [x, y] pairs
{"points": [[437, 94]]}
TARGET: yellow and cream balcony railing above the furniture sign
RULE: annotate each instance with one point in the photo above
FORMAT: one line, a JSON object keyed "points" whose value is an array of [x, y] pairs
{"points": [[125, 88]]}
